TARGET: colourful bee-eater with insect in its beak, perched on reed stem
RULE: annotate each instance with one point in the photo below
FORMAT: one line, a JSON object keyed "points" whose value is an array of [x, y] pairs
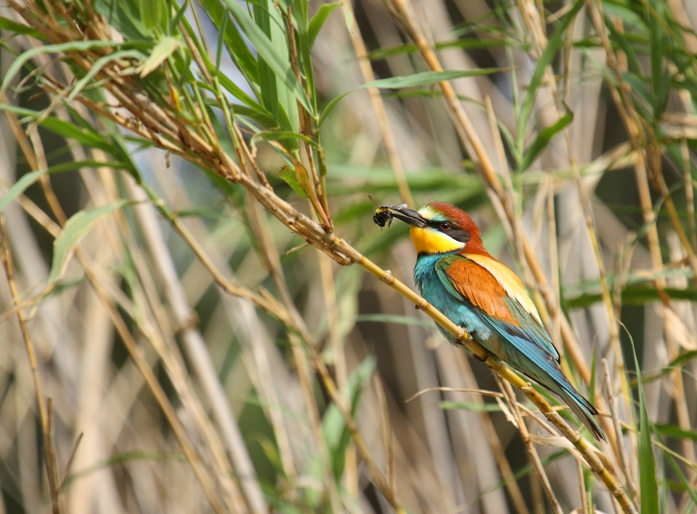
{"points": [[458, 276]]}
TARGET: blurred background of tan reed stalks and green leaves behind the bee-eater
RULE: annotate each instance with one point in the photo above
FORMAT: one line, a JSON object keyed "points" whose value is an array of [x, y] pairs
{"points": [[128, 317]]}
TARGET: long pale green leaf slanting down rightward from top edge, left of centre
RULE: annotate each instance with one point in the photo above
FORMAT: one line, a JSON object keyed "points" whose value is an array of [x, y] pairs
{"points": [[265, 49]]}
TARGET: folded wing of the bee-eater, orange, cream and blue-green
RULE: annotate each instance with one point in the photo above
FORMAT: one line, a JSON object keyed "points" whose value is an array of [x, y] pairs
{"points": [[498, 293]]}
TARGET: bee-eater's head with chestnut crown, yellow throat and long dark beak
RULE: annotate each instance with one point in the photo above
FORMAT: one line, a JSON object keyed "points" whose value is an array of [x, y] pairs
{"points": [[440, 228]]}
